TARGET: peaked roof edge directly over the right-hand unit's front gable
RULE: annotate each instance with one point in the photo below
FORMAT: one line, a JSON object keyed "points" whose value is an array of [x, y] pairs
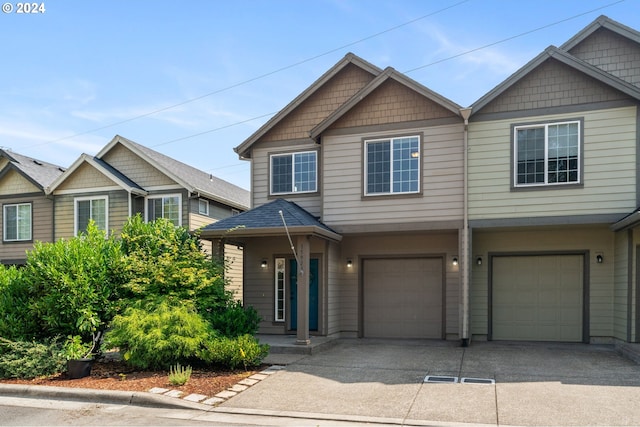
{"points": [[553, 52]]}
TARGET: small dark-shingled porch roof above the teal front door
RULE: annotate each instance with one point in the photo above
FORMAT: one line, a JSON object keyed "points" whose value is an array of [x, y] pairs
{"points": [[265, 220]]}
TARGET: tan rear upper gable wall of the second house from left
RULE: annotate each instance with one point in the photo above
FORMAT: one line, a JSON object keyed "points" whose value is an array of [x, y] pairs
{"points": [[135, 168]]}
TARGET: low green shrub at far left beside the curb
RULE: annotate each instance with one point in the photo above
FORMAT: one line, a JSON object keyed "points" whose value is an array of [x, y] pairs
{"points": [[29, 359]]}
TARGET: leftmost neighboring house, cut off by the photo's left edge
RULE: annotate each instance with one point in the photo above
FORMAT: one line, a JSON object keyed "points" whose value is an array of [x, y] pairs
{"points": [[27, 213]]}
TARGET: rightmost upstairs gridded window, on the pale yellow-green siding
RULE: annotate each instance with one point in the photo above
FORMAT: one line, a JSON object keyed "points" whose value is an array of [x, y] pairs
{"points": [[547, 154]]}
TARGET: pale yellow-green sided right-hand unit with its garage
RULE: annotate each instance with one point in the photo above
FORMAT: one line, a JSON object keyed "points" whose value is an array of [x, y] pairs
{"points": [[553, 172]]}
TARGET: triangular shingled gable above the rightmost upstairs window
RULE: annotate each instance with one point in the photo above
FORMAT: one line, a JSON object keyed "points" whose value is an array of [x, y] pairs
{"points": [[552, 84]]}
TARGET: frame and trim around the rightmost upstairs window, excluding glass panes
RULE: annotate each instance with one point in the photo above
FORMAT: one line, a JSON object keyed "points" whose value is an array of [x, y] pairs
{"points": [[546, 186]]}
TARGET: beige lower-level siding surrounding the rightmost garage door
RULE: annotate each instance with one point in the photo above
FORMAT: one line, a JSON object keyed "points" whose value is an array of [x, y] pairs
{"points": [[592, 239]]}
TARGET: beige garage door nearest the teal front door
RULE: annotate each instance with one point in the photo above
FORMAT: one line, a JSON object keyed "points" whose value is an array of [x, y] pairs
{"points": [[402, 298]]}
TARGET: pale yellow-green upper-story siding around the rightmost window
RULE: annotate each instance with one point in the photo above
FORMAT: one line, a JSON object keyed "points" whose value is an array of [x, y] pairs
{"points": [[609, 170]]}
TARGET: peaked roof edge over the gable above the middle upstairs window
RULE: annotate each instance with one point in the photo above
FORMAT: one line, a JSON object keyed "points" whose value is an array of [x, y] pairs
{"points": [[388, 74]]}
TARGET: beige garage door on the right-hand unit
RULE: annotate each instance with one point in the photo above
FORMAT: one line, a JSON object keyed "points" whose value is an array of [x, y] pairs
{"points": [[537, 298]]}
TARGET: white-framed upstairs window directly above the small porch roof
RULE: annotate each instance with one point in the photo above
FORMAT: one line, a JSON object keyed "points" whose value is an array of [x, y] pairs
{"points": [[294, 173]]}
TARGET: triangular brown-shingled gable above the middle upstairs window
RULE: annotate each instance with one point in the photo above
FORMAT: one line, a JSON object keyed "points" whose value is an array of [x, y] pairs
{"points": [[392, 102]]}
